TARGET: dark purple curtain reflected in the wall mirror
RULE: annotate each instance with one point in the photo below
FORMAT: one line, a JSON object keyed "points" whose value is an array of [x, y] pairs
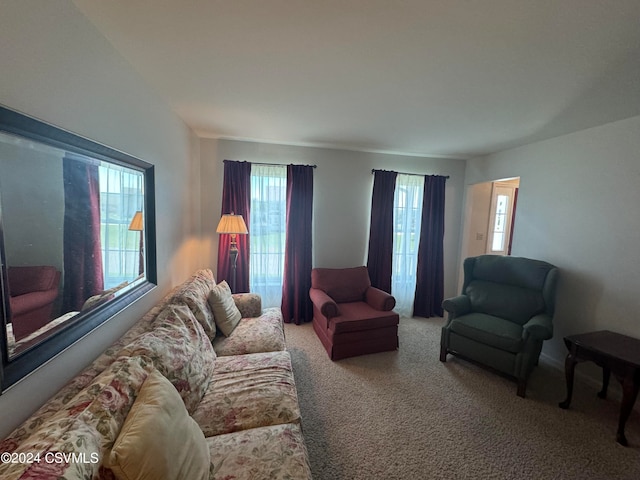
{"points": [[83, 275]]}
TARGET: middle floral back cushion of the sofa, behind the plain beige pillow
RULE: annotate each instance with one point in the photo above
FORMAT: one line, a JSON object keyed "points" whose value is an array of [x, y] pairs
{"points": [[180, 350]]}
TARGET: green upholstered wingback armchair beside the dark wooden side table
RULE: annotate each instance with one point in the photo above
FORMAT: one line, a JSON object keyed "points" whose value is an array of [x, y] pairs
{"points": [[503, 315]]}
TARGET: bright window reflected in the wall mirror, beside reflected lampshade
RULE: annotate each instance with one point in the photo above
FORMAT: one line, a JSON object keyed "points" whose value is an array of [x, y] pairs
{"points": [[120, 198]]}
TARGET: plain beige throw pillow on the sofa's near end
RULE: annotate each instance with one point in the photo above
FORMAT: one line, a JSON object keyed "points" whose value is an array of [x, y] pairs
{"points": [[159, 439]]}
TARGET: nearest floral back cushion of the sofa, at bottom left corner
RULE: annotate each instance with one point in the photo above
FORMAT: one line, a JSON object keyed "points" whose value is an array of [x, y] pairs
{"points": [[86, 427]]}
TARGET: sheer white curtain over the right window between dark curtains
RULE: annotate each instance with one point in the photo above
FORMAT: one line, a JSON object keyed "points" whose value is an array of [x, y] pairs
{"points": [[407, 214]]}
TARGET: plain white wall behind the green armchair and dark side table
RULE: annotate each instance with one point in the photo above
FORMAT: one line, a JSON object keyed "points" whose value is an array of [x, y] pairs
{"points": [[578, 209]]}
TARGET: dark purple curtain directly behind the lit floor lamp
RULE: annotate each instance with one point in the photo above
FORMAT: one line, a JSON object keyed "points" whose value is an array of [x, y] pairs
{"points": [[236, 197]]}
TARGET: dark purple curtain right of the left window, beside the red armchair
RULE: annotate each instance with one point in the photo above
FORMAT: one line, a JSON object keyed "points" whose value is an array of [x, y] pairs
{"points": [[296, 304]]}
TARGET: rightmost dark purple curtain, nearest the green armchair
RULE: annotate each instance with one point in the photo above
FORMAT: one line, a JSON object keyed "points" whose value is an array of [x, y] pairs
{"points": [[430, 274]]}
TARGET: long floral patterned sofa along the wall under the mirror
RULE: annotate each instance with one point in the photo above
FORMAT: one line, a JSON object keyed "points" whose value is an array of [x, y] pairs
{"points": [[237, 416]]}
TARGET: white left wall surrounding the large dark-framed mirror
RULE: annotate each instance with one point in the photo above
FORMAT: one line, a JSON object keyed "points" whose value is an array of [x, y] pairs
{"points": [[57, 67]]}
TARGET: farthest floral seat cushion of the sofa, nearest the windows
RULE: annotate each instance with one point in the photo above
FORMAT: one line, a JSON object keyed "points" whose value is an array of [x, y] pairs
{"points": [[264, 333]]}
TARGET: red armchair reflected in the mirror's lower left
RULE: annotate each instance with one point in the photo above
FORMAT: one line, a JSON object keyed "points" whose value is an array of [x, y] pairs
{"points": [[32, 294]]}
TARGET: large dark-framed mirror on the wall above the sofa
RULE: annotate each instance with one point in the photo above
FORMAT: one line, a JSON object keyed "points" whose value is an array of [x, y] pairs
{"points": [[77, 239]]}
